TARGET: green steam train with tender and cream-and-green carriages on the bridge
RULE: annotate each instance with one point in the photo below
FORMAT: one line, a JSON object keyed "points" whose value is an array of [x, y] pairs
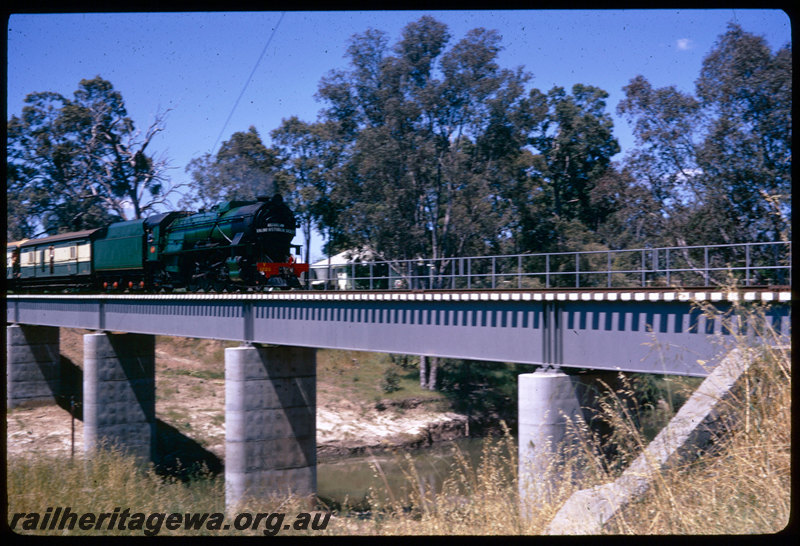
{"points": [[236, 246]]}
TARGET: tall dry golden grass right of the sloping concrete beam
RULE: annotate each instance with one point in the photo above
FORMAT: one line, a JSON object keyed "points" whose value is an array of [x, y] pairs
{"points": [[742, 484]]}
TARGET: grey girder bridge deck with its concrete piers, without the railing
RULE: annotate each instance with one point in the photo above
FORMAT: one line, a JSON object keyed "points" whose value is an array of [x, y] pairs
{"points": [[570, 337]]}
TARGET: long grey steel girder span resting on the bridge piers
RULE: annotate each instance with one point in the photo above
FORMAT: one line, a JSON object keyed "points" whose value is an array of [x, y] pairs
{"points": [[653, 332]]}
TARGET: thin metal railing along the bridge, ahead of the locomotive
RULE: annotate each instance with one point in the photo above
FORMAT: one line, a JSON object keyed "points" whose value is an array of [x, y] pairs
{"points": [[745, 264]]}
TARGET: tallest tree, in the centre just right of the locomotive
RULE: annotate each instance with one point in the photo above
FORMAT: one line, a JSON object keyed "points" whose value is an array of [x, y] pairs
{"points": [[412, 181]]}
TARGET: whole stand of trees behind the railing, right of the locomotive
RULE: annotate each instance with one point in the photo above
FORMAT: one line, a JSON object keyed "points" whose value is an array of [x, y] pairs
{"points": [[429, 148]]}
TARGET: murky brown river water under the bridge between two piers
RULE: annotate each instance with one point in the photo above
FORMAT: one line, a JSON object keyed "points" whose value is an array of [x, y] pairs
{"points": [[349, 480]]}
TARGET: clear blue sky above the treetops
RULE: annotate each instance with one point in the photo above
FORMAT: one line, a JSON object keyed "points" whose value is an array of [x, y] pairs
{"points": [[197, 64]]}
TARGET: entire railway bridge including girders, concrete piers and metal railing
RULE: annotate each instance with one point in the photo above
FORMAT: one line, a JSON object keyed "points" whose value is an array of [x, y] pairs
{"points": [[561, 313]]}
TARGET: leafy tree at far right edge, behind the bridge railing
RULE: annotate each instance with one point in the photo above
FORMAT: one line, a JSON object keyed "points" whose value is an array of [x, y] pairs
{"points": [[717, 164]]}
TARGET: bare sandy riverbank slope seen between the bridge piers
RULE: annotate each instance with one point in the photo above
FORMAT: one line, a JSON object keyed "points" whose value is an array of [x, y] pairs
{"points": [[354, 415]]}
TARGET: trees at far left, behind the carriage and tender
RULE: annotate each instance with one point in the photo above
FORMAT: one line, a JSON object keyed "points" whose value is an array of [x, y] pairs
{"points": [[79, 163]]}
